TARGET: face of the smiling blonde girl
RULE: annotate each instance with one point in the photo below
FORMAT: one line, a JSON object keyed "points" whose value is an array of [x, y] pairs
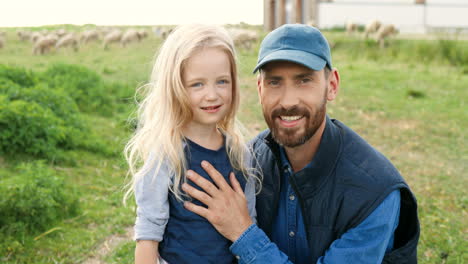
{"points": [[207, 78]]}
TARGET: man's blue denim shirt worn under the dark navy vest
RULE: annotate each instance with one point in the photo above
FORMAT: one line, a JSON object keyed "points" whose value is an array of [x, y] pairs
{"points": [[366, 243]]}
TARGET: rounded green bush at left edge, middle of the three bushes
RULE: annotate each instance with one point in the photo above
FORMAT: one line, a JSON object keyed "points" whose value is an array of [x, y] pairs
{"points": [[29, 128]]}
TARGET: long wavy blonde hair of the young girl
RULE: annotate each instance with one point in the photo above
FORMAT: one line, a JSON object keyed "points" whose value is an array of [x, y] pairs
{"points": [[158, 140]]}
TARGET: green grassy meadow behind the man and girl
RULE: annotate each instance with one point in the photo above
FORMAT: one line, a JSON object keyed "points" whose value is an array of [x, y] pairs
{"points": [[408, 100]]}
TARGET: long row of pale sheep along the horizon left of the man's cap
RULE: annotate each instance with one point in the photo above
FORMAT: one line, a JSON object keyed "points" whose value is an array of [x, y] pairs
{"points": [[45, 41]]}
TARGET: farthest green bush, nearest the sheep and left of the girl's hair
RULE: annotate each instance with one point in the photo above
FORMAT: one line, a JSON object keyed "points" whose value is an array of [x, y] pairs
{"points": [[83, 85]]}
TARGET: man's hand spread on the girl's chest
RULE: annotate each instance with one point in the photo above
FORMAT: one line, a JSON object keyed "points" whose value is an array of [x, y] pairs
{"points": [[227, 207]]}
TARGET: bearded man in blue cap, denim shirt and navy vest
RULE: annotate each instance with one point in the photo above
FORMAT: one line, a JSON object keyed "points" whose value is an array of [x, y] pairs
{"points": [[327, 195]]}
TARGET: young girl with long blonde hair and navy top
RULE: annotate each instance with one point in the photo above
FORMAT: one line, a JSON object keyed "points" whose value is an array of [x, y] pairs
{"points": [[187, 116]]}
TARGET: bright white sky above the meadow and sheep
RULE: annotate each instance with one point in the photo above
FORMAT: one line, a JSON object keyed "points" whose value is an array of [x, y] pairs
{"points": [[17, 13]]}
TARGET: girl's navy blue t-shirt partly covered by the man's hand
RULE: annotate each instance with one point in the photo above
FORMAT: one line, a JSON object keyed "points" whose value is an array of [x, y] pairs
{"points": [[190, 238]]}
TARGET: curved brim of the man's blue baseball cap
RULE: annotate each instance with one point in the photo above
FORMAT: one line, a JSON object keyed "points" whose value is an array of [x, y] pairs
{"points": [[309, 60]]}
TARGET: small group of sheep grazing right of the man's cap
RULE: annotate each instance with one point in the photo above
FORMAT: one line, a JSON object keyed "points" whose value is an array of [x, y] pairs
{"points": [[375, 27]]}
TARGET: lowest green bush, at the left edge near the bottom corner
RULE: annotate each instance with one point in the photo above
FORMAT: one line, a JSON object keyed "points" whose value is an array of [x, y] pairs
{"points": [[34, 200]]}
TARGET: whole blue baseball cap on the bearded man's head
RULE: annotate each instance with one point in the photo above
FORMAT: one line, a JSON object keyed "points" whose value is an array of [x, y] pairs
{"points": [[296, 43]]}
